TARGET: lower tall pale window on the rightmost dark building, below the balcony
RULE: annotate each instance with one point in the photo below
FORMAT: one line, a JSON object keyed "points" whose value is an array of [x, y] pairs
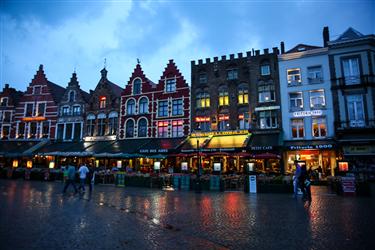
{"points": [[356, 110]]}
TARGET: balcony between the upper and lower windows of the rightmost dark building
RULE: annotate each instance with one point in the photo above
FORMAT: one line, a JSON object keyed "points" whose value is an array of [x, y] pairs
{"points": [[353, 82]]}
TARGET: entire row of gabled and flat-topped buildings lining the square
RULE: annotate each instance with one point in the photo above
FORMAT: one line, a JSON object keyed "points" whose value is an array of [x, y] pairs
{"points": [[254, 111]]}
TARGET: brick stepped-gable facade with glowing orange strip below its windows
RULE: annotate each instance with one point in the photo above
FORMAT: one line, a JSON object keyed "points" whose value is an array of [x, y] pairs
{"points": [[37, 110]]}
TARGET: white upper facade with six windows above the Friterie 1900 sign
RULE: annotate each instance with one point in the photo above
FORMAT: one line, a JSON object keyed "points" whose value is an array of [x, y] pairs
{"points": [[306, 99]]}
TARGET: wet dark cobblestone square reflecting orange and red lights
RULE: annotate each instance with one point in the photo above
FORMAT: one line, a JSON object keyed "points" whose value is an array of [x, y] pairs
{"points": [[35, 215]]}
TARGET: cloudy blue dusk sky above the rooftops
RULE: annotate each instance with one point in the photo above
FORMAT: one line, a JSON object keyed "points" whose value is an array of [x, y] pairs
{"points": [[78, 34]]}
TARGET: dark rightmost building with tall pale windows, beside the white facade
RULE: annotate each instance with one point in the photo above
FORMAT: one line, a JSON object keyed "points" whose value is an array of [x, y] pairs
{"points": [[352, 64]]}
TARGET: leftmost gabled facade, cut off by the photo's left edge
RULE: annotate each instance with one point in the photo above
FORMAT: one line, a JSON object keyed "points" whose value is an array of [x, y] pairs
{"points": [[9, 98]]}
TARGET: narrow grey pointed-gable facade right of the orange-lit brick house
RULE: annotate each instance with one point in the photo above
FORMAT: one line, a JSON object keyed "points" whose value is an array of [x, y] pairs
{"points": [[72, 109]]}
